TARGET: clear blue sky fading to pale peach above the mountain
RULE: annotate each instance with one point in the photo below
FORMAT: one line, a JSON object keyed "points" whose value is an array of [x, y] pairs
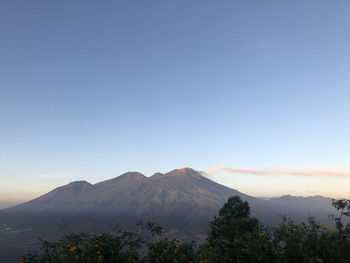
{"points": [[91, 89]]}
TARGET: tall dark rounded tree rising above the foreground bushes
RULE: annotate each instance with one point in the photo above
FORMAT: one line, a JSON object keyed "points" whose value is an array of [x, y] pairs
{"points": [[236, 237]]}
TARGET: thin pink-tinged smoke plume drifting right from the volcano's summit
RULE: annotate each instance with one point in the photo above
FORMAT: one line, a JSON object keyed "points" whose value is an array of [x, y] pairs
{"points": [[342, 172]]}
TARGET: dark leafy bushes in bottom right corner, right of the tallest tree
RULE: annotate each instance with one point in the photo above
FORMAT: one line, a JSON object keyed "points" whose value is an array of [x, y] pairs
{"points": [[308, 242]]}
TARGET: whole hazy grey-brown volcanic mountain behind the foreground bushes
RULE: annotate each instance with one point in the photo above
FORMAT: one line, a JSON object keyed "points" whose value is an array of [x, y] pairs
{"points": [[183, 201]]}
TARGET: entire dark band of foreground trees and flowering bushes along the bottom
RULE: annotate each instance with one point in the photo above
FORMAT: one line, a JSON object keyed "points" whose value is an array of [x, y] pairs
{"points": [[233, 236]]}
